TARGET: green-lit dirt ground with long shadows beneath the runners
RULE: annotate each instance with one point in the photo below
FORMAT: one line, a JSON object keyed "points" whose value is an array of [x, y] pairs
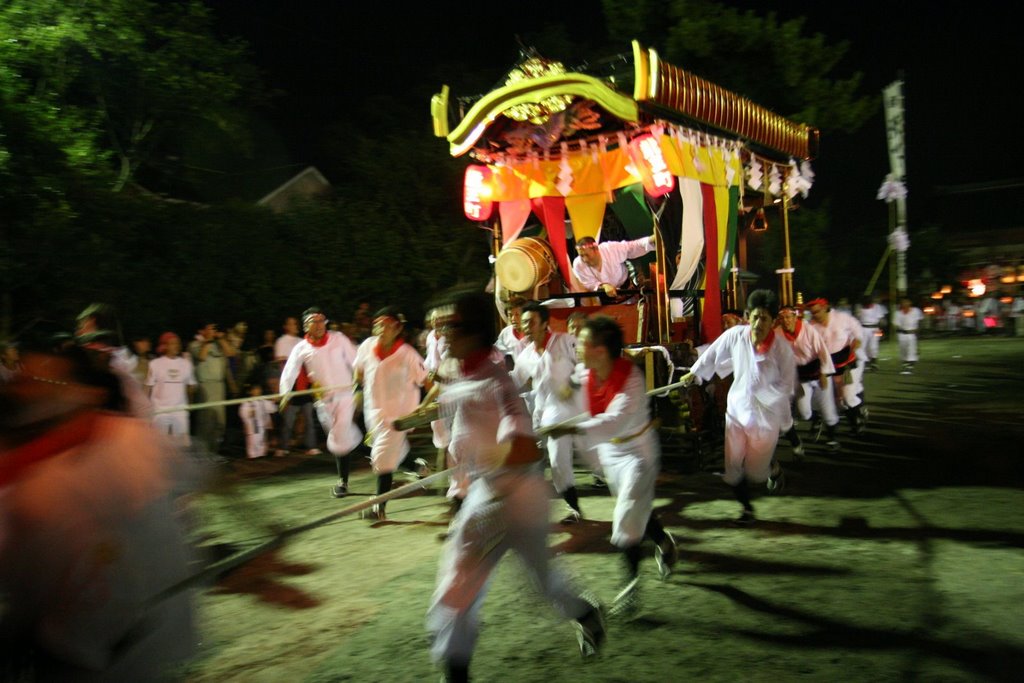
{"points": [[901, 559]]}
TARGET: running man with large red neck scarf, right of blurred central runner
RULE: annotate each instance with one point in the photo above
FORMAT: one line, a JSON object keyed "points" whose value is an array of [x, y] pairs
{"points": [[620, 428]]}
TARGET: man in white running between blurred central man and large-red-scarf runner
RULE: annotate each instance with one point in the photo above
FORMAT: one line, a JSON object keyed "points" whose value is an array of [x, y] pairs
{"points": [[550, 359]]}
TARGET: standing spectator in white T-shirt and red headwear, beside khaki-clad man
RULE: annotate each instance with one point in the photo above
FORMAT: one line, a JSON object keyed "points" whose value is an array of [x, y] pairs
{"points": [[170, 382]]}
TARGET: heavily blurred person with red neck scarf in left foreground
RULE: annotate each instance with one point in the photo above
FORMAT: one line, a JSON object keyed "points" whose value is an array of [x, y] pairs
{"points": [[89, 534]]}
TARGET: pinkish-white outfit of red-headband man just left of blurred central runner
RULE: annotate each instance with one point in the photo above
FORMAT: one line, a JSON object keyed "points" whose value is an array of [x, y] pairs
{"points": [[391, 390]]}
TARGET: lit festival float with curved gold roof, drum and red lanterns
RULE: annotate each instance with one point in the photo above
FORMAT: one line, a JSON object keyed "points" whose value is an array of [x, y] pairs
{"points": [[630, 148]]}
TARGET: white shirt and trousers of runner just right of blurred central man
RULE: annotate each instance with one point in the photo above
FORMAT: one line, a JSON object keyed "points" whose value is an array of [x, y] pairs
{"points": [[631, 463]]}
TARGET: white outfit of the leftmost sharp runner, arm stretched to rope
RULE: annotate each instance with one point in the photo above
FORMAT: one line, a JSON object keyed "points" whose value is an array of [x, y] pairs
{"points": [[329, 366]]}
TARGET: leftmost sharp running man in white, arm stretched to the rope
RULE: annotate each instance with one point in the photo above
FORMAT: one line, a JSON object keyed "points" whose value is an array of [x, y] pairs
{"points": [[328, 359]]}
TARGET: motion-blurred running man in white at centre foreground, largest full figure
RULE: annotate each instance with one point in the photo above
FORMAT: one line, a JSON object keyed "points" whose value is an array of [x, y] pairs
{"points": [[507, 505]]}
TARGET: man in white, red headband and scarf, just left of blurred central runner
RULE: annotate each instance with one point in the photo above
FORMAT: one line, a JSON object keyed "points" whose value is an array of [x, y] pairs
{"points": [[392, 375]]}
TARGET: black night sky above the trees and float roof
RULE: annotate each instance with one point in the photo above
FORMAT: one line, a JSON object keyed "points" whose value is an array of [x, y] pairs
{"points": [[962, 63]]}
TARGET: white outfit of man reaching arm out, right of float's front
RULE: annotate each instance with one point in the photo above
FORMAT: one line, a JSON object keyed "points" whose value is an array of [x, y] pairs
{"points": [[758, 405]]}
